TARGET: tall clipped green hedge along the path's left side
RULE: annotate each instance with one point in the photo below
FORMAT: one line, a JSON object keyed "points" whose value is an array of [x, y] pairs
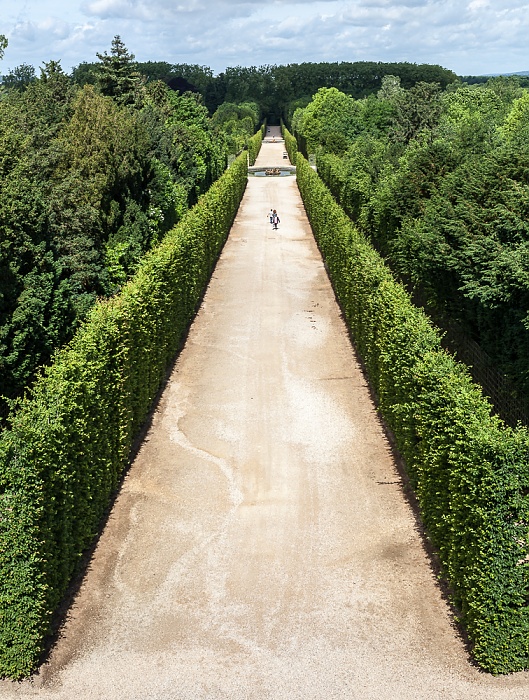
{"points": [[70, 440]]}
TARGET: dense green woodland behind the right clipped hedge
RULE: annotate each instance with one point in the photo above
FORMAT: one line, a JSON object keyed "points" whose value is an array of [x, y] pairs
{"points": [[439, 181]]}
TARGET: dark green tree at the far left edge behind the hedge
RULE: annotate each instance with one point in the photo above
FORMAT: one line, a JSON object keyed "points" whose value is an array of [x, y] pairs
{"points": [[28, 275]]}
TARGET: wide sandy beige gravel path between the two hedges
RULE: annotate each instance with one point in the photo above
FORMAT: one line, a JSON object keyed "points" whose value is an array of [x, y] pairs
{"points": [[261, 547]]}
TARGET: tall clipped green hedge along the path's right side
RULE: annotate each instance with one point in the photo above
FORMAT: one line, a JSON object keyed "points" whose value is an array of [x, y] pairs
{"points": [[470, 472]]}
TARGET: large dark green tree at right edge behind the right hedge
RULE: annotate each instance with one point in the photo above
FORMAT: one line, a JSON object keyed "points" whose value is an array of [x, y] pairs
{"points": [[470, 248]]}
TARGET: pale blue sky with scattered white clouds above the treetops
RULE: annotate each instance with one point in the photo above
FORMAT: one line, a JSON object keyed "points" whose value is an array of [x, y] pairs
{"points": [[470, 37]]}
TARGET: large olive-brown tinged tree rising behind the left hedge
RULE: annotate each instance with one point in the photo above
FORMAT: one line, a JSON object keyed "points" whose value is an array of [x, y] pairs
{"points": [[100, 188]]}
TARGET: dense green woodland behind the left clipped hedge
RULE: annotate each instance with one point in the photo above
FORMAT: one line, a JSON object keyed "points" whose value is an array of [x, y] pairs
{"points": [[91, 177]]}
